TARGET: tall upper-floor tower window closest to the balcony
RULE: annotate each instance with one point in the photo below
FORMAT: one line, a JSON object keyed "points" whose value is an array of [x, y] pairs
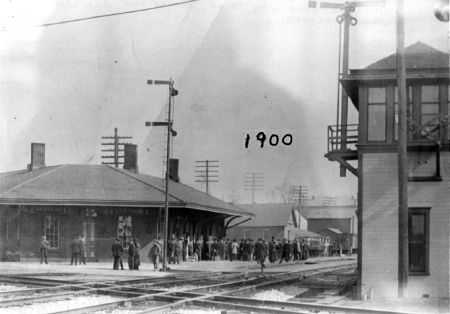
{"points": [[376, 111]]}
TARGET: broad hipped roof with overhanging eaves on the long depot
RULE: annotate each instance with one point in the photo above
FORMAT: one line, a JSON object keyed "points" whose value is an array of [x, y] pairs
{"points": [[102, 185]]}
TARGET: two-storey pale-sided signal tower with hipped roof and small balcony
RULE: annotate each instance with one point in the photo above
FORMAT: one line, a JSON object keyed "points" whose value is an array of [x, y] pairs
{"points": [[373, 92]]}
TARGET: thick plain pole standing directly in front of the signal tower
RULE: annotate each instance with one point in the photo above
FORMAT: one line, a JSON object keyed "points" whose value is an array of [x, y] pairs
{"points": [[403, 262]]}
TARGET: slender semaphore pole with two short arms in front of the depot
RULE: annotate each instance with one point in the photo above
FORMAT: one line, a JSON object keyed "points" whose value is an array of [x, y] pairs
{"points": [[172, 92]]}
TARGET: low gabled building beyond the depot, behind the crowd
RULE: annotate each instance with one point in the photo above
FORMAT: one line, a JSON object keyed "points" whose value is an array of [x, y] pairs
{"points": [[282, 221]]}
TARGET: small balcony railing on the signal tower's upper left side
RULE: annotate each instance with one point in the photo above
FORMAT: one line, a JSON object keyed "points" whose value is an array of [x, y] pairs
{"points": [[342, 137]]}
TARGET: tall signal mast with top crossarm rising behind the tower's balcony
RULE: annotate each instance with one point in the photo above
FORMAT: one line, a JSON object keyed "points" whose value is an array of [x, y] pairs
{"points": [[345, 20]]}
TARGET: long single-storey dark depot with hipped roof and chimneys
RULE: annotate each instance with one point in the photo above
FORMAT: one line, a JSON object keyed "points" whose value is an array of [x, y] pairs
{"points": [[101, 203]]}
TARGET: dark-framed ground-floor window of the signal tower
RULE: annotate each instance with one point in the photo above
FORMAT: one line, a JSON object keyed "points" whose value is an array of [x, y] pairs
{"points": [[418, 240]]}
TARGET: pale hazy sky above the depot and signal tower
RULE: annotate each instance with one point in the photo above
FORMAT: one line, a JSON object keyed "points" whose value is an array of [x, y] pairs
{"points": [[241, 66]]}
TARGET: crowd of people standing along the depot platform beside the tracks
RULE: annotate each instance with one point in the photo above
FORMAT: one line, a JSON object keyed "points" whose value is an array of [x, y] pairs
{"points": [[182, 249]]}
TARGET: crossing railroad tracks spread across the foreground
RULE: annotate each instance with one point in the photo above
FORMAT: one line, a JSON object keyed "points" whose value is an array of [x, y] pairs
{"points": [[151, 295]]}
